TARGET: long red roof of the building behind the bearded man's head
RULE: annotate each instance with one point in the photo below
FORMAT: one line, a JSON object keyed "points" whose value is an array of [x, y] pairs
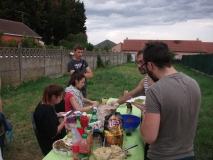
{"points": [[186, 46]]}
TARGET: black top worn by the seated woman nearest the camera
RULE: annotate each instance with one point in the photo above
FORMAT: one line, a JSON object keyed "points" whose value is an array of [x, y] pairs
{"points": [[47, 125]]}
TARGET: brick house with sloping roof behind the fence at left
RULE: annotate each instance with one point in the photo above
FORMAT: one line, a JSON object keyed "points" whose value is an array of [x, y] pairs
{"points": [[13, 30]]}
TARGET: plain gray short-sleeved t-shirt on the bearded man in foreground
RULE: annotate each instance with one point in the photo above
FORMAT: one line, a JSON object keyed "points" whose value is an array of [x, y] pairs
{"points": [[177, 99]]}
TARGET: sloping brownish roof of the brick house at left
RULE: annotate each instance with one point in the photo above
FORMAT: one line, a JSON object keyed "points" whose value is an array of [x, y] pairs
{"points": [[16, 29]]}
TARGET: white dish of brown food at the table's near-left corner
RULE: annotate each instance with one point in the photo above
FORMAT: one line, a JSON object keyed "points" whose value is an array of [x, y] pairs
{"points": [[60, 145]]}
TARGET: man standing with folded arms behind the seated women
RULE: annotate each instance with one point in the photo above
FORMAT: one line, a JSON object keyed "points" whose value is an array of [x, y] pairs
{"points": [[78, 64]]}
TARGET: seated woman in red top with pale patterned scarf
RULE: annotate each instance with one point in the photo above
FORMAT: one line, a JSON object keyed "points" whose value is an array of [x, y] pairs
{"points": [[74, 98]]}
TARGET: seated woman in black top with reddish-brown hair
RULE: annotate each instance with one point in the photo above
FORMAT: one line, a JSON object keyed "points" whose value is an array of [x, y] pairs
{"points": [[46, 119]]}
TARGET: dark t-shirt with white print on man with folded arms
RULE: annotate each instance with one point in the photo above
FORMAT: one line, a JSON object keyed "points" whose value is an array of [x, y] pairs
{"points": [[77, 66]]}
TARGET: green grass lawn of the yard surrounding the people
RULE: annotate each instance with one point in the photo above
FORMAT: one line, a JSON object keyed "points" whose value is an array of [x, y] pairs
{"points": [[19, 102]]}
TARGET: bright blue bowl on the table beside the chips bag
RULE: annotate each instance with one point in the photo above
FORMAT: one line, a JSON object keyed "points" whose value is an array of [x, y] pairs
{"points": [[130, 122]]}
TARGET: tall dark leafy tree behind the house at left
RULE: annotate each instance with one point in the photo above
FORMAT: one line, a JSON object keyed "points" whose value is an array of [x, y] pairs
{"points": [[53, 20]]}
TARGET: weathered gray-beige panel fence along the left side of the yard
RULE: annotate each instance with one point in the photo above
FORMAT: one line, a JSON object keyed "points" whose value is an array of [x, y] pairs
{"points": [[19, 65]]}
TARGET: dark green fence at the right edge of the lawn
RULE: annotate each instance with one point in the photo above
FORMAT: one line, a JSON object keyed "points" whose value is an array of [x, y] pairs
{"points": [[200, 62]]}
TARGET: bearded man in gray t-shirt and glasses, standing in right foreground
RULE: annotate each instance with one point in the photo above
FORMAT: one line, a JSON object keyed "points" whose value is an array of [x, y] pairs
{"points": [[172, 107]]}
